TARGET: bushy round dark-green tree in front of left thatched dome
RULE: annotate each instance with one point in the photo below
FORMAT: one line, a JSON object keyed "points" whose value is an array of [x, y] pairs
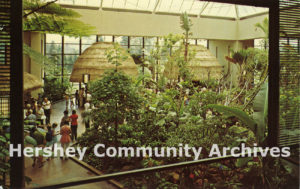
{"points": [[116, 100]]}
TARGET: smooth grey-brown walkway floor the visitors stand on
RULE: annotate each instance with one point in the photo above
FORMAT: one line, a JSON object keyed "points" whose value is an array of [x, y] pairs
{"points": [[57, 170]]}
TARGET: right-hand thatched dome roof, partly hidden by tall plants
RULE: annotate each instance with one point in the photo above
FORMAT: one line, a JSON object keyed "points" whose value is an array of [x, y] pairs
{"points": [[203, 66]]}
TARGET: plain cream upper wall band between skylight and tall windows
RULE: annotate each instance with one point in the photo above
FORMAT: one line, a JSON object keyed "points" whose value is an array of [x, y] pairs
{"points": [[146, 24]]}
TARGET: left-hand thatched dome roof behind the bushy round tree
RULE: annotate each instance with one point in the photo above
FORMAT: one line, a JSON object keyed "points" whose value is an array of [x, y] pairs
{"points": [[93, 61]]}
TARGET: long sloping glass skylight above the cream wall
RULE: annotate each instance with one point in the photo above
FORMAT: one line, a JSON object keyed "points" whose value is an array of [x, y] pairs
{"points": [[194, 7]]}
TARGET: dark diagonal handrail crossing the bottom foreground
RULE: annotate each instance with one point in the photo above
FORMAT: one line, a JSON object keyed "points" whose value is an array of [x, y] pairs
{"points": [[136, 172]]}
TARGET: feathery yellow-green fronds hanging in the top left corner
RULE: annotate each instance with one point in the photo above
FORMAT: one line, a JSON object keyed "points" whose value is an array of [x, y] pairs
{"points": [[52, 18]]}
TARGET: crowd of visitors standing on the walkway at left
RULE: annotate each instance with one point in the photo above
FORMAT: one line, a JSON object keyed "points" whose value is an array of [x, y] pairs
{"points": [[38, 114]]}
